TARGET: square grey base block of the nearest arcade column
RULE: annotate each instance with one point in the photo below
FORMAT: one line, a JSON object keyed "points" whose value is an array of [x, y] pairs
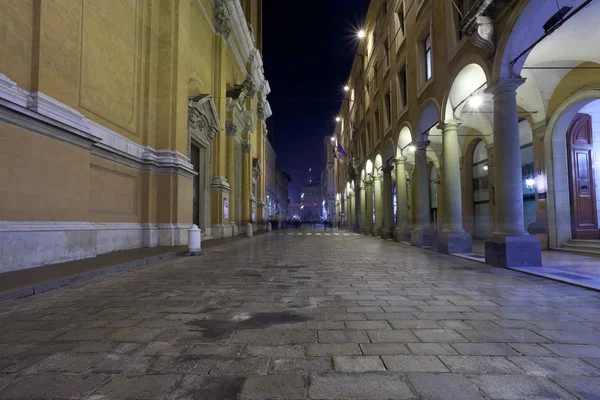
{"points": [[513, 251]]}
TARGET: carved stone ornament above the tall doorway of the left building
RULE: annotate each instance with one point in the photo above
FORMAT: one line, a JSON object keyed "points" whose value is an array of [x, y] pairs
{"points": [[203, 119]]}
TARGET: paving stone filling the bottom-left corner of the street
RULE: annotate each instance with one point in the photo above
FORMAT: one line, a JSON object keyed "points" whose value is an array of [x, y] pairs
{"points": [[53, 386]]}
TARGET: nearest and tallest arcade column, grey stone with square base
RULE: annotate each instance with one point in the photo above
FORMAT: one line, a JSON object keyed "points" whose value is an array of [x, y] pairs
{"points": [[509, 245]]}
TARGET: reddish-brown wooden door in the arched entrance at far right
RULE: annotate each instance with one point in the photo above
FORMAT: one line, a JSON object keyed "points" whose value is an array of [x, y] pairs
{"points": [[584, 214]]}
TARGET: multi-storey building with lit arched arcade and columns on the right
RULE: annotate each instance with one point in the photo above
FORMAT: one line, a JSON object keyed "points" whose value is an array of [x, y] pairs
{"points": [[468, 120]]}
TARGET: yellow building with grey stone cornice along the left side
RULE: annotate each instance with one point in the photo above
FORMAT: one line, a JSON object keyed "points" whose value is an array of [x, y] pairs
{"points": [[124, 122]]}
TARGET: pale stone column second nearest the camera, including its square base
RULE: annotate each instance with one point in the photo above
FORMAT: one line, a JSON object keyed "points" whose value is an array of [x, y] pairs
{"points": [[453, 238]]}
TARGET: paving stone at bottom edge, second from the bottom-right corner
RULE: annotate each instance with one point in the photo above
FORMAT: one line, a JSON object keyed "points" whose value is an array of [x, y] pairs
{"points": [[519, 387]]}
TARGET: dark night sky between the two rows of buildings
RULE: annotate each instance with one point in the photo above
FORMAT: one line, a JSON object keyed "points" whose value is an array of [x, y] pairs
{"points": [[308, 49]]}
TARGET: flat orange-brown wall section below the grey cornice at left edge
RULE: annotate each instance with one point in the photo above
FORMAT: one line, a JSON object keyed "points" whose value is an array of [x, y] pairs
{"points": [[42, 179]]}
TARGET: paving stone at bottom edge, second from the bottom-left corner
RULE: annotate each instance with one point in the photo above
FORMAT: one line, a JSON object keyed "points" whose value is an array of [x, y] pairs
{"points": [[138, 387]]}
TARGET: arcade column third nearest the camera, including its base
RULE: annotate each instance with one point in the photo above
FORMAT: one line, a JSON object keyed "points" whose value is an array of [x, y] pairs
{"points": [[421, 234]]}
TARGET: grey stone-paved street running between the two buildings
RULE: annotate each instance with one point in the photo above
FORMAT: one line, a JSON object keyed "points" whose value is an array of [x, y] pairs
{"points": [[305, 316]]}
